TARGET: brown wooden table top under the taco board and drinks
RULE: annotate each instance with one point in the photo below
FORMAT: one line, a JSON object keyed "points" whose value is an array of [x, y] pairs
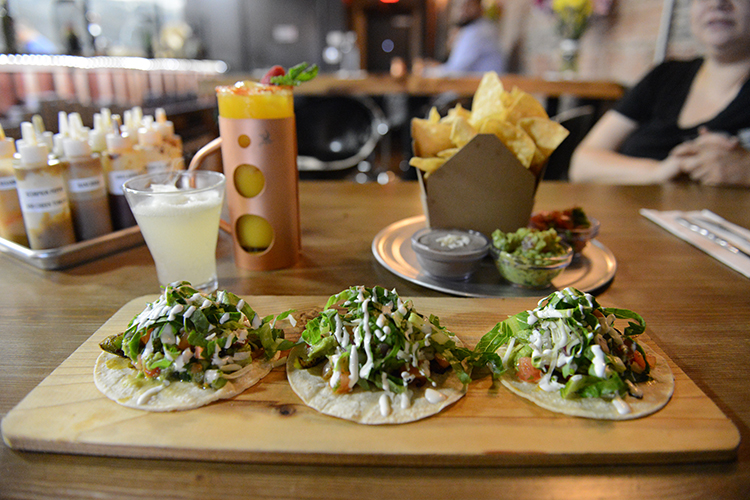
{"points": [[697, 311]]}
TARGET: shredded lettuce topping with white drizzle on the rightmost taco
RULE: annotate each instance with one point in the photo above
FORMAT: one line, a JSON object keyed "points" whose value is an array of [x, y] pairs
{"points": [[573, 343]]}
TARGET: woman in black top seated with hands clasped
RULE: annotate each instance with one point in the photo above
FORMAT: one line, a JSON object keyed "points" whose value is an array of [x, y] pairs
{"points": [[685, 118]]}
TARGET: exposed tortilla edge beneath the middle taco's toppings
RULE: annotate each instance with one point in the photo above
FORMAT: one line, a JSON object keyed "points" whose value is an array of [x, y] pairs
{"points": [[364, 406]]}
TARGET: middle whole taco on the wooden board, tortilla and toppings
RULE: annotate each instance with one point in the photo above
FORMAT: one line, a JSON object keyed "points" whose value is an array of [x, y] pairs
{"points": [[371, 358]]}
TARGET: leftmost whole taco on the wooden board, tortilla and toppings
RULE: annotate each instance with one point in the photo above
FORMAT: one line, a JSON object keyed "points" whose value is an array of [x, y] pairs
{"points": [[188, 349]]}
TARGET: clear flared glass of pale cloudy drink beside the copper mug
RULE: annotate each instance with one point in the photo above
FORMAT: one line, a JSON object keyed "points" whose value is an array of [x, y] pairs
{"points": [[178, 214]]}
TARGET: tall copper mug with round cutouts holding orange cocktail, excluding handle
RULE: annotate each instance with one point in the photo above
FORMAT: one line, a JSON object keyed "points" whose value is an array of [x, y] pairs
{"points": [[259, 153]]}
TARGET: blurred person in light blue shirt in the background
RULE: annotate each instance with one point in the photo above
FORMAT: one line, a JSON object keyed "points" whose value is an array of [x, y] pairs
{"points": [[476, 47]]}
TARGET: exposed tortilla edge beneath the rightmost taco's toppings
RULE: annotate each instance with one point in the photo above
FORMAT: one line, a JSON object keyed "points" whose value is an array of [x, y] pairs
{"points": [[656, 394]]}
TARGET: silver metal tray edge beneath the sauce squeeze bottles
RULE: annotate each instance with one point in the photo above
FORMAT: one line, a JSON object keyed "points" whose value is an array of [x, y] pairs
{"points": [[77, 253]]}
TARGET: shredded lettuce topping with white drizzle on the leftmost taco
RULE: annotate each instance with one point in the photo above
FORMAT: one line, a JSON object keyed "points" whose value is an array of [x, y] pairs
{"points": [[202, 331]]}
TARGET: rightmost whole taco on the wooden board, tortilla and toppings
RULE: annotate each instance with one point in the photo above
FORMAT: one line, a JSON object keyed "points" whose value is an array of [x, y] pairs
{"points": [[567, 356]]}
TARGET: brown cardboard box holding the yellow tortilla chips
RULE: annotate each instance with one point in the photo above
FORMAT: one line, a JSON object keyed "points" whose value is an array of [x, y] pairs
{"points": [[482, 187]]}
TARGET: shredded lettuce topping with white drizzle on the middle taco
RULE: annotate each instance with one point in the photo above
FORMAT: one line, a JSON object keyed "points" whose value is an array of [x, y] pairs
{"points": [[394, 343]]}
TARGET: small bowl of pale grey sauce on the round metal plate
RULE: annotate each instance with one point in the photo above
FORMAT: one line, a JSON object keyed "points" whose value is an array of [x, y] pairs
{"points": [[451, 254]]}
